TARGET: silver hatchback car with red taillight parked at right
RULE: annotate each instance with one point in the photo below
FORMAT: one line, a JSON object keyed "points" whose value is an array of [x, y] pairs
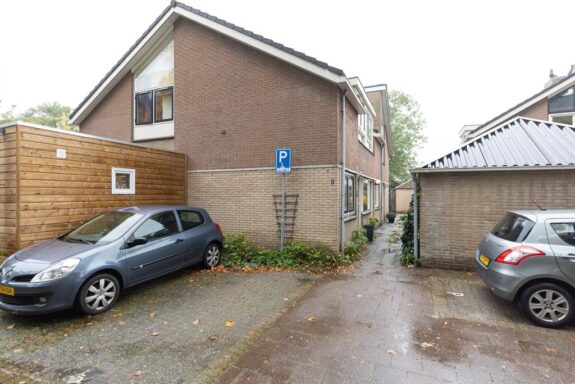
{"points": [[529, 258]]}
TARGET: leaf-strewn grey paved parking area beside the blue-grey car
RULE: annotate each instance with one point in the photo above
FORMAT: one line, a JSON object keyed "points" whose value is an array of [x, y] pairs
{"points": [[169, 331]]}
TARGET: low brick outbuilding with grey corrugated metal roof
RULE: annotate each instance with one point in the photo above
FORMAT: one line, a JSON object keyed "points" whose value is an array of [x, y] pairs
{"points": [[463, 194]]}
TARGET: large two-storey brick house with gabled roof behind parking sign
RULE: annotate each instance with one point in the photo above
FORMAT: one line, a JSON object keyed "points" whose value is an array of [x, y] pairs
{"points": [[227, 98]]}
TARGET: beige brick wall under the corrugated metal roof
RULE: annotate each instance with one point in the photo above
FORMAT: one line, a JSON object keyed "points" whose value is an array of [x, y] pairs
{"points": [[458, 208]]}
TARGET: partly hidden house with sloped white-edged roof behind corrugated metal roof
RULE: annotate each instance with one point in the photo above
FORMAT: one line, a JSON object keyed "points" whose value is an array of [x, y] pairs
{"points": [[555, 103]]}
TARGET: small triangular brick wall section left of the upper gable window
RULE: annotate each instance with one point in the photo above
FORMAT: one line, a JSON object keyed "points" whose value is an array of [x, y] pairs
{"points": [[112, 118]]}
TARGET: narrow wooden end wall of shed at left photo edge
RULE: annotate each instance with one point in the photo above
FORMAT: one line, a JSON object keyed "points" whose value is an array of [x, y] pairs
{"points": [[8, 191]]}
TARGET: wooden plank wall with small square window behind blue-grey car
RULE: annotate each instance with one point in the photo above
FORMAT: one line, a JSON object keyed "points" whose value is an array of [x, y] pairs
{"points": [[57, 195]]}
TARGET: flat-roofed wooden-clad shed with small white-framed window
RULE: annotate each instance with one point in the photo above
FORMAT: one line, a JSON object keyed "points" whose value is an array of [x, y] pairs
{"points": [[53, 180]]}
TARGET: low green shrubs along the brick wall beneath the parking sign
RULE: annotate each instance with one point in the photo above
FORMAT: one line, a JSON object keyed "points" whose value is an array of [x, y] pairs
{"points": [[238, 252]]}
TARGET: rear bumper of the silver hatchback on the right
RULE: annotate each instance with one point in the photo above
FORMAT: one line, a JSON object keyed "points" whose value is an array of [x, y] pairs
{"points": [[502, 279]]}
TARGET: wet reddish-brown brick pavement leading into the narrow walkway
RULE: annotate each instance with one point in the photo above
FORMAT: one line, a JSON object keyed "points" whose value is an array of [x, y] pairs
{"points": [[384, 323]]}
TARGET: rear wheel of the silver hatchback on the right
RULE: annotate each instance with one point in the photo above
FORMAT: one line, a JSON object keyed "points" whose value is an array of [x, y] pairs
{"points": [[547, 305]]}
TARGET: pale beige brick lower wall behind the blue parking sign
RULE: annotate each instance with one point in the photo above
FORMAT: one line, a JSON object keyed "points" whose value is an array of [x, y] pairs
{"points": [[242, 201]]}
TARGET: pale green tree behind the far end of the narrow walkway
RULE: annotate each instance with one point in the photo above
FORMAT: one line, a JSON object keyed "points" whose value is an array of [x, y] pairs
{"points": [[407, 136]]}
